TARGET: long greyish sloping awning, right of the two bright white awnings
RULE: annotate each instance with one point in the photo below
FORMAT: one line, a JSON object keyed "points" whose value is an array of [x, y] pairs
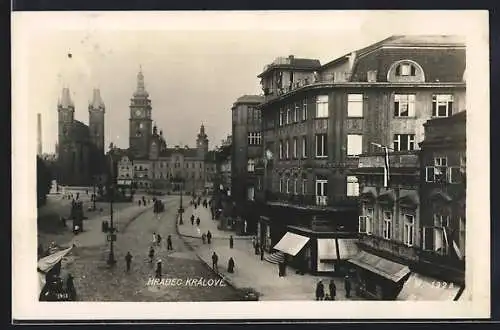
{"points": [[383, 267]]}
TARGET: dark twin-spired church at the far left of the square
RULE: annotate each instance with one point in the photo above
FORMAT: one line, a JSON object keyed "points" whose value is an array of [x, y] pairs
{"points": [[80, 148]]}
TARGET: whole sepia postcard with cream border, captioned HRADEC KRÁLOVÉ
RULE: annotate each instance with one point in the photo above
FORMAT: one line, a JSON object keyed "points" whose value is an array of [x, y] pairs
{"points": [[250, 165]]}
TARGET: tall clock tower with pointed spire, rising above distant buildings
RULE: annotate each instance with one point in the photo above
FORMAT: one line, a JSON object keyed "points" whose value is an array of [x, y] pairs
{"points": [[140, 123]]}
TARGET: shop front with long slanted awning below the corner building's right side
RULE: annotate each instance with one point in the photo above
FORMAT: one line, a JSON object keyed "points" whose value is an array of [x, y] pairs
{"points": [[378, 278]]}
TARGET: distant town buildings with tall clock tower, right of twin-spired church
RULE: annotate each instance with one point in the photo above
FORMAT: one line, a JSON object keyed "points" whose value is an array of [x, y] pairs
{"points": [[150, 163]]}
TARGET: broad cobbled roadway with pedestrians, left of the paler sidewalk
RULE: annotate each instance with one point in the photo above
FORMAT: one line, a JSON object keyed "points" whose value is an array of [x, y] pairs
{"points": [[95, 281]]}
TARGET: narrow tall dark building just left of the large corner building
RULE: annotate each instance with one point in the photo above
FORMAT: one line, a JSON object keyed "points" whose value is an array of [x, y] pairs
{"points": [[246, 151]]}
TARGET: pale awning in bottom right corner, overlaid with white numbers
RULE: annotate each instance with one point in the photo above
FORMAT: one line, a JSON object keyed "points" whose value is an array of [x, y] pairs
{"points": [[419, 287]]}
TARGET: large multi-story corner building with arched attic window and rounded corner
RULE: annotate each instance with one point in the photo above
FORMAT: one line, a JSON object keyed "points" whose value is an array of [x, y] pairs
{"points": [[317, 120]]}
